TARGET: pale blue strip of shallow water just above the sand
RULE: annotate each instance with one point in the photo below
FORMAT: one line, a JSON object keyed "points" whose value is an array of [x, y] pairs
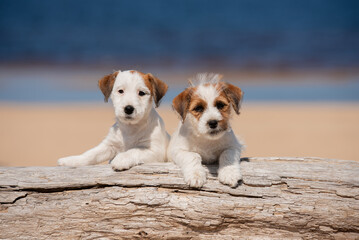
{"points": [[38, 89]]}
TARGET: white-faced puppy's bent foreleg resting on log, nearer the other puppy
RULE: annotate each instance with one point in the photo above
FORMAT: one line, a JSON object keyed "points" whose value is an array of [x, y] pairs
{"points": [[134, 157]]}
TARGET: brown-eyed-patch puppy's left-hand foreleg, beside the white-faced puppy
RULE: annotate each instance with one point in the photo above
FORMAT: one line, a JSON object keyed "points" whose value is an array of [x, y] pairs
{"points": [[191, 165]]}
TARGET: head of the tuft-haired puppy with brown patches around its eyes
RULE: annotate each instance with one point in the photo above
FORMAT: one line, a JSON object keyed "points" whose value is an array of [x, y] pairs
{"points": [[207, 107]]}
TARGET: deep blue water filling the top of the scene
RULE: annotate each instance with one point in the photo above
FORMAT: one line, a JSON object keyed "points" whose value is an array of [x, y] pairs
{"points": [[182, 33]]}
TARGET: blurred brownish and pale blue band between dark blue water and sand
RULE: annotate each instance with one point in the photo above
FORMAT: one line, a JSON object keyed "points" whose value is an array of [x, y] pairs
{"points": [[67, 84]]}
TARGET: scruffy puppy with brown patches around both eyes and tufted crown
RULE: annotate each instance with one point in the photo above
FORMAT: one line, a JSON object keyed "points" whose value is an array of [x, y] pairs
{"points": [[205, 135]]}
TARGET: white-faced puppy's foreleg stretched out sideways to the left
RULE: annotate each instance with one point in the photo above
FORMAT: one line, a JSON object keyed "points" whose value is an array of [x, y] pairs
{"points": [[101, 153]]}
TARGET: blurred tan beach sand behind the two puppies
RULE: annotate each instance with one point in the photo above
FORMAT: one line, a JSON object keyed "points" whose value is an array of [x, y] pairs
{"points": [[37, 135]]}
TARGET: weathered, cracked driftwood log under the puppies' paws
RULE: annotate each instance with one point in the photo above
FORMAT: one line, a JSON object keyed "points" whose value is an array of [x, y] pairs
{"points": [[291, 198]]}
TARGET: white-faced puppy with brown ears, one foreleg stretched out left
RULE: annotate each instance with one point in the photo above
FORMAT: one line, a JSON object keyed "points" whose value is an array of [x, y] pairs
{"points": [[139, 135]]}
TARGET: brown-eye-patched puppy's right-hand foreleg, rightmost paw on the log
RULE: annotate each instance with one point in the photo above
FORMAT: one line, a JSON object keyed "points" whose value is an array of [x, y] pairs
{"points": [[229, 172]]}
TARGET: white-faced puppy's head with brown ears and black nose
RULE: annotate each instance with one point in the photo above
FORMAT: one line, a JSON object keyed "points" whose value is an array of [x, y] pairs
{"points": [[131, 93]]}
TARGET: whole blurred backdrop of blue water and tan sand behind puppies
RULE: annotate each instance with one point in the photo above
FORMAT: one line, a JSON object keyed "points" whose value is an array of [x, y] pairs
{"points": [[296, 61]]}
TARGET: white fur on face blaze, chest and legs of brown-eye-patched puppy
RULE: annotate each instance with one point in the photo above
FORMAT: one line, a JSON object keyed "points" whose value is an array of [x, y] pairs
{"points": [[192, 144]]}
